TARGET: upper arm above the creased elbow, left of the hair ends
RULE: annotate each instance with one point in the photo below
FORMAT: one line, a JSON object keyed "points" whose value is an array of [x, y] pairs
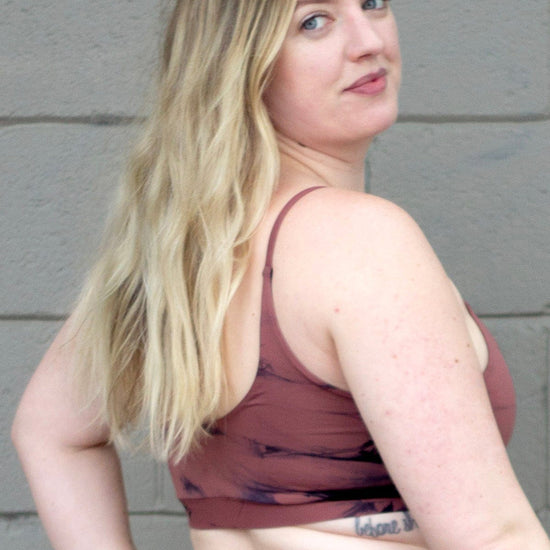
{"points": [[51, 410]]}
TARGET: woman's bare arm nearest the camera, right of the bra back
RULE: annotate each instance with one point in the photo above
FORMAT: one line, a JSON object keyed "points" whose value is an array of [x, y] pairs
{"points": [[405, 352]]}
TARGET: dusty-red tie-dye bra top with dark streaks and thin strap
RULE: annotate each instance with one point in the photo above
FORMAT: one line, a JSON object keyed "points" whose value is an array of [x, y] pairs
{"points": [[295, 450]]}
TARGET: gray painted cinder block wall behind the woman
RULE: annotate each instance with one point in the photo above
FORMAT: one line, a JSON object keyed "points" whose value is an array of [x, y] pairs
{"points": [[469, 159]]}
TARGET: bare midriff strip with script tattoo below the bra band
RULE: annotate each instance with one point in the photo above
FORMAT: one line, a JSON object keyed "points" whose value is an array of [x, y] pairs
{"points": [[388, 531]]}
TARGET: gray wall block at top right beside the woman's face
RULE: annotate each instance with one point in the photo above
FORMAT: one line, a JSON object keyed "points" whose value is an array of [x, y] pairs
{"points": [[471, 59]]}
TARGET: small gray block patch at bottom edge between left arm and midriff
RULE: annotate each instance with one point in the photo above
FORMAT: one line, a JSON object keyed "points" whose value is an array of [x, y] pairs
{"points": [[166, 532]]}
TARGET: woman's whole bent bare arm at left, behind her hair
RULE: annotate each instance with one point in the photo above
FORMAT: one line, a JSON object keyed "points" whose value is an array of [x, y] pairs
{"points": [[74, 475]]}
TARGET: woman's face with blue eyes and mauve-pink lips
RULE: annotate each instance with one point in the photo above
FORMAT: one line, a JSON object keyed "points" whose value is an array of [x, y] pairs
{"points": [[337, 78]]}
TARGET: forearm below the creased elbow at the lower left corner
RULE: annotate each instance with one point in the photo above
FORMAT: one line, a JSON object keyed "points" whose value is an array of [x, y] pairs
{"points": [[78, 493]]}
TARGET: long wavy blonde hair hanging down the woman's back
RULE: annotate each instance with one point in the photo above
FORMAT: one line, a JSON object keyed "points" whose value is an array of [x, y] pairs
{"points": [[150, 319]]}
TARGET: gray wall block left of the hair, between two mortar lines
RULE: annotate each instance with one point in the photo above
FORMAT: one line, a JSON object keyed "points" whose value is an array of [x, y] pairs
{"points": [[56, 184]]}
